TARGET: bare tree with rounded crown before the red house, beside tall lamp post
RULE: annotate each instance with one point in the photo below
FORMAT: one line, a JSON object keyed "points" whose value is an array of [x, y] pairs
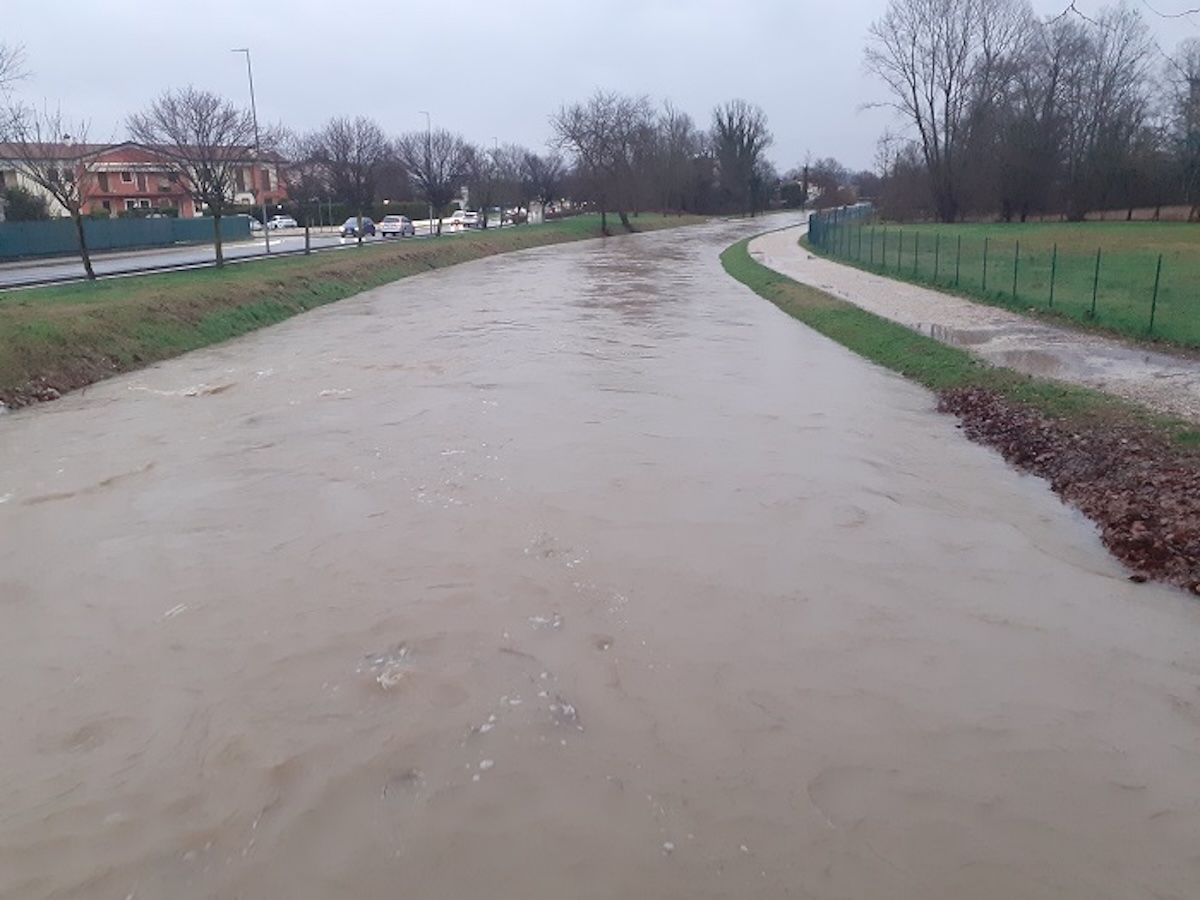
{"points": [[206, 140]]}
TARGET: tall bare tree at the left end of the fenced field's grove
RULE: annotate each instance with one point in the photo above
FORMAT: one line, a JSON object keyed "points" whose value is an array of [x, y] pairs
{"points": [[944, 63]]}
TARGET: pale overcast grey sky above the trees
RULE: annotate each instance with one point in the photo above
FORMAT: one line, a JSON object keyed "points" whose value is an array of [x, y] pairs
{"points": [[494, 69]]}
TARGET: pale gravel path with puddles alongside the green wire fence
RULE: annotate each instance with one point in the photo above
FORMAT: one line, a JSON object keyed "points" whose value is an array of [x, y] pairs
{"points": [[1162, 382]]}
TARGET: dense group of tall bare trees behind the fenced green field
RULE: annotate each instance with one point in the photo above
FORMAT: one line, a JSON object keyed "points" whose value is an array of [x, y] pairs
{"points": [[1015, 116]]}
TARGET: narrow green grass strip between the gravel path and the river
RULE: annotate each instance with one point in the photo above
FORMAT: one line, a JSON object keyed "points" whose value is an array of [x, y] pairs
{"points": [[933, 364]]}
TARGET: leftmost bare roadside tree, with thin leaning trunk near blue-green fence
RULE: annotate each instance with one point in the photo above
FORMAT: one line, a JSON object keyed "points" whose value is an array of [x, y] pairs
{"points": [[53, 154]]}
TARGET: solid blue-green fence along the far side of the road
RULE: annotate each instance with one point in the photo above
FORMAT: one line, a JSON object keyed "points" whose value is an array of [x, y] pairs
{"points": [[25, 241]]}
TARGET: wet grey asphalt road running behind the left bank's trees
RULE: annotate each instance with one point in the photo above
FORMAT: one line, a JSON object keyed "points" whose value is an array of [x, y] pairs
{"points": [[29, 273]]}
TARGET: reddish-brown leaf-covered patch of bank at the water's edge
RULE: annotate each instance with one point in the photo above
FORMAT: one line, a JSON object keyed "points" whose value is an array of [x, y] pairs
{"points": [[1143, 493]]}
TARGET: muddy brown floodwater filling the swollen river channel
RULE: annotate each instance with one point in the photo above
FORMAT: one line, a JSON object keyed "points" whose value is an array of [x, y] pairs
{"points": [[579, 573]]}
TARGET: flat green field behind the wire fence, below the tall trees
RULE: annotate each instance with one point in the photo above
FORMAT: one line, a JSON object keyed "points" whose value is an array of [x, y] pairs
{"points": [[952, 257]]}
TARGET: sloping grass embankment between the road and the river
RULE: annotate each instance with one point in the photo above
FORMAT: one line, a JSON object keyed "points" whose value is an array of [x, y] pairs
{"points": [[53, 340]]}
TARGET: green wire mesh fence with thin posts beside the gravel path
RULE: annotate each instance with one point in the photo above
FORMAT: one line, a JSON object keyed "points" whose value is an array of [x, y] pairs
{"points": [[1133, 292]]}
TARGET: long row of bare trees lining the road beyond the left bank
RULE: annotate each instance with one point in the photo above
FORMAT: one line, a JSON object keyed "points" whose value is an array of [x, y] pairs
{"points": [[613, 153]]}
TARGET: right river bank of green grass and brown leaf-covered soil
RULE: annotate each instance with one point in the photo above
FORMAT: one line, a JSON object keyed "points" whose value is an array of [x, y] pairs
{"points": [[1136, 475]]}
